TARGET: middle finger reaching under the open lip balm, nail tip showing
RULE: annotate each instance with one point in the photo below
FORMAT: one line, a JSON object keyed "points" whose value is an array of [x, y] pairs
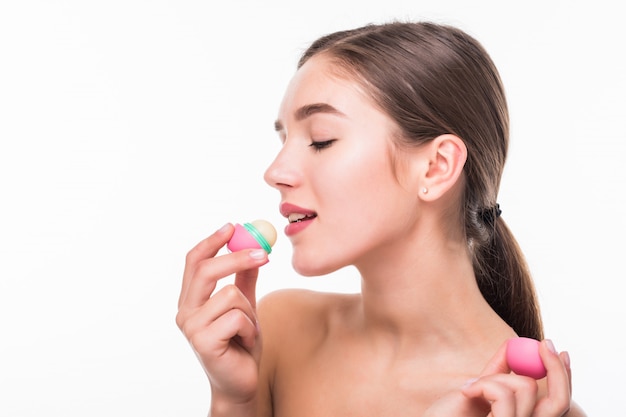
{"points": [[209, 271]]}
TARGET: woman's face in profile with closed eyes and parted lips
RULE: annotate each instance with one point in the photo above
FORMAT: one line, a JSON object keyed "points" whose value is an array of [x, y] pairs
{"points": [[346, 200]]}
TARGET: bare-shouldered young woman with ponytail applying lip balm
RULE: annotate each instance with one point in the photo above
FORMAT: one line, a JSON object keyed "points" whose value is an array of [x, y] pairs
{"points": [[394, 141]]}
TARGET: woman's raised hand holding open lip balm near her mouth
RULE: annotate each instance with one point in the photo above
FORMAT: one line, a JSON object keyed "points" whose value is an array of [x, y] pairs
{"points": [[222, 328]]}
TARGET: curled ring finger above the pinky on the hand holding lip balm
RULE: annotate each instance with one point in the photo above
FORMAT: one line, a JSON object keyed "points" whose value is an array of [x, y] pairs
{"points": [[226, 299]]}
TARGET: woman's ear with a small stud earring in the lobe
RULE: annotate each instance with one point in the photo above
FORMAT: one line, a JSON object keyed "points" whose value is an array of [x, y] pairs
{"points": [[446, 158]]}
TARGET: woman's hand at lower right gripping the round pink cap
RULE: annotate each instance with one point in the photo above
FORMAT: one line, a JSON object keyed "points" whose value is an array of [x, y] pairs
{"points": [[499, 393]]}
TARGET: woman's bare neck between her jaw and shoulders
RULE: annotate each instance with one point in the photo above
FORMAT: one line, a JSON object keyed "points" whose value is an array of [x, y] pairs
{"points": [[426, 295]]}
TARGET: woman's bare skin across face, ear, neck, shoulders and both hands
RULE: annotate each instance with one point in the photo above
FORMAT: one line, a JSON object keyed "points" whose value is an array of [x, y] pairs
{"points": [[419, 340]]}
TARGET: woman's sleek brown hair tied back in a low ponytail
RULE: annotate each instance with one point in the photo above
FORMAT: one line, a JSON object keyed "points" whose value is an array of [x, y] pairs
{"points": [[434, 79]]}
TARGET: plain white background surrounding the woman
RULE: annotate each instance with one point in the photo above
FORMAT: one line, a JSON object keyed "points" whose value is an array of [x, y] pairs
{"points": [[131, 129]]}
